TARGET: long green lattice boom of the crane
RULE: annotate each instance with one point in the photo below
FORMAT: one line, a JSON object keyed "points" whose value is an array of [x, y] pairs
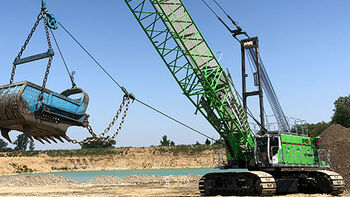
{"points": [[188, 57]]}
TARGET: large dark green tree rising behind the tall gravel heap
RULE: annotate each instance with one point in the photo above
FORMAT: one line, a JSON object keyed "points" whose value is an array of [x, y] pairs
{"points": [[342, 111]]}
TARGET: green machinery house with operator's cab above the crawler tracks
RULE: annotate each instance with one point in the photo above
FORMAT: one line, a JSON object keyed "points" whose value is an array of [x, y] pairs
{"points": [[290, 150]]}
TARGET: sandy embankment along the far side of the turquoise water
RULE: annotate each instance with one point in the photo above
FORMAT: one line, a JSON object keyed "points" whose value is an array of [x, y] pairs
{"points": [[128, 158]]}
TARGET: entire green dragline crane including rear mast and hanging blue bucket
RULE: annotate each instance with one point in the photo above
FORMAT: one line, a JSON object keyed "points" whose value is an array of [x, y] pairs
{"points": [[277, 162]]}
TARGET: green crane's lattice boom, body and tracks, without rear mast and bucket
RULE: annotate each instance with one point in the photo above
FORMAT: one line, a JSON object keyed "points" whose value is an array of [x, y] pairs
{"points": [[203, 81]]}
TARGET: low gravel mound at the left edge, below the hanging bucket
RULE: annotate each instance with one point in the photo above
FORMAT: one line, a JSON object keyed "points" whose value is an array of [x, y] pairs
{"points": [[42, 180]]}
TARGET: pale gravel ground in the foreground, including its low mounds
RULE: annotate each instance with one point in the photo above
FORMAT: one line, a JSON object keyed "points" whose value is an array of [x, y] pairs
{"points": [[144, 185]]}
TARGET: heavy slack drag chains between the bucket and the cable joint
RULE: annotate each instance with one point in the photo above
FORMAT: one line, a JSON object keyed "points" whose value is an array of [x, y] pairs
{"points": [[100, 138]]}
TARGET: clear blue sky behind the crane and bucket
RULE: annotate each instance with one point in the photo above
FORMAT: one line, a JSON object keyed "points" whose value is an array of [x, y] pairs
{"points": [[304, 45]]}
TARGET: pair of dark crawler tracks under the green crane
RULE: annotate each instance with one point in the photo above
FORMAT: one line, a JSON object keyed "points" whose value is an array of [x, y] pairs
{"points": [[264, 184]]}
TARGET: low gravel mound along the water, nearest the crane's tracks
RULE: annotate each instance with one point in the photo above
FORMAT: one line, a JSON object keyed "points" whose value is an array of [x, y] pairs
{"points": [[143, 179]]}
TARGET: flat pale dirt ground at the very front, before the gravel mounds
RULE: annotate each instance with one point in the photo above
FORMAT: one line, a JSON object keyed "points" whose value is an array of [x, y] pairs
{"points": [[116, 190]]}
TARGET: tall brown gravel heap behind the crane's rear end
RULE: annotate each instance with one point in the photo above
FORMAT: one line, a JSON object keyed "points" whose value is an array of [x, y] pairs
{"points": [[337, 139]]}
